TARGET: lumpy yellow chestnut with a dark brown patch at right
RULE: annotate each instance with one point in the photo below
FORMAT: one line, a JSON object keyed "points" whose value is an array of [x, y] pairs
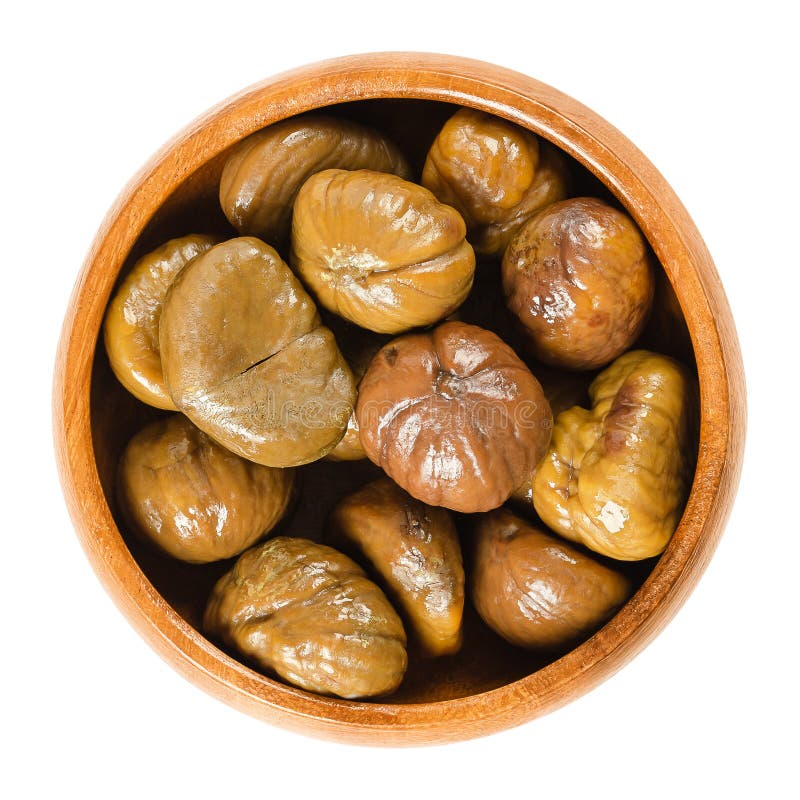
{"points": [[615, 478]]}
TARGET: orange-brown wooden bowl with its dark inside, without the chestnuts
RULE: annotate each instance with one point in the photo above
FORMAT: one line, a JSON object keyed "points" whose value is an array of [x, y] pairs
{"points": [[491, 686]]}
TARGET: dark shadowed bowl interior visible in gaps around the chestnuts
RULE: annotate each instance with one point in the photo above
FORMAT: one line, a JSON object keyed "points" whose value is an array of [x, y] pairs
{"points": [[485, 661]]}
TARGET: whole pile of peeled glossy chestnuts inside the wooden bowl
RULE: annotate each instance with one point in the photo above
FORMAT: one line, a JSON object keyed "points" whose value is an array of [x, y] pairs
{"points": [[470, 335]]}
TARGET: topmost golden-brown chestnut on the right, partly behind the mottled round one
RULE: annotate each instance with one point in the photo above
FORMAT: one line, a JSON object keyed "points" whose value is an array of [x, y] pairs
{"points": [[497, 174]]}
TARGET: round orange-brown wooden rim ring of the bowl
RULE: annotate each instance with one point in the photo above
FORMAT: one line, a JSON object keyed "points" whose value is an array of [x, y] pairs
{"points": [[673, 236]]}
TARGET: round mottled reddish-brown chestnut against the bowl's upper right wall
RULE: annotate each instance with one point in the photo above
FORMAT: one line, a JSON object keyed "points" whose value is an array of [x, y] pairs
{"points": [[578, 276]]}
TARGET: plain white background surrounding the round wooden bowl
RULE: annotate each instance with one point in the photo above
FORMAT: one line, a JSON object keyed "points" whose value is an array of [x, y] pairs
{"points": [[89, 92]]}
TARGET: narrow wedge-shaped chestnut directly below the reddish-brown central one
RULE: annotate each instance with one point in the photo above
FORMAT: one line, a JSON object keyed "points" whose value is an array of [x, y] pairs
{"points": [[414, 548]]}
